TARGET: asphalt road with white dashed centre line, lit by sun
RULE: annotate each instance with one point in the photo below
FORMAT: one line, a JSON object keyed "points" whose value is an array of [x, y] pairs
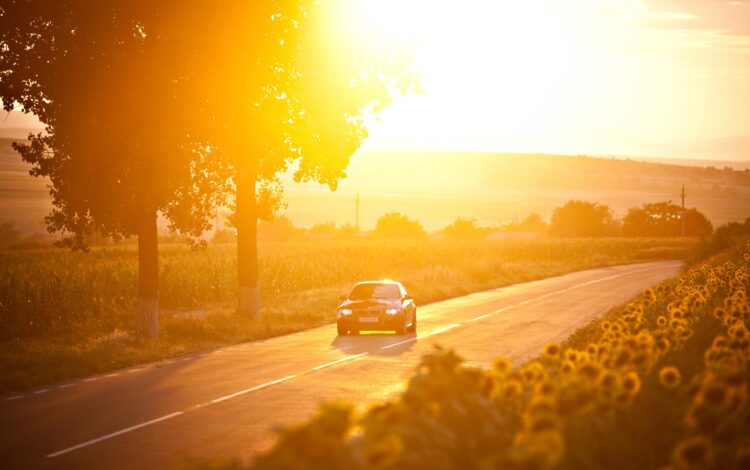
{"points": [[229, 401]]}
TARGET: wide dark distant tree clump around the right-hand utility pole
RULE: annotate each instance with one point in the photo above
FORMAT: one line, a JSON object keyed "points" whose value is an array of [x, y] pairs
{"points": [[664, 219]]}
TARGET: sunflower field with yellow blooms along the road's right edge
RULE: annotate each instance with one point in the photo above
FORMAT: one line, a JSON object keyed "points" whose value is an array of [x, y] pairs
{"points": [[658, 383]]}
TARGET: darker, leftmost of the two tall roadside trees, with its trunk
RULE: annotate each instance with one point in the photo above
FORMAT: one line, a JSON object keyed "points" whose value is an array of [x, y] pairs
{"points": [[118, 147]]}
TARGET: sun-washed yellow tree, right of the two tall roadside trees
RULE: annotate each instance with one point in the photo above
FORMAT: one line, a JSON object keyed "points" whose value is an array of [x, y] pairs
{"points": [[289, 85]]}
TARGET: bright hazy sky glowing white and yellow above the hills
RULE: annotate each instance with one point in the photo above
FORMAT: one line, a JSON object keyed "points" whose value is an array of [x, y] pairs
{"points": [[563, 76]]}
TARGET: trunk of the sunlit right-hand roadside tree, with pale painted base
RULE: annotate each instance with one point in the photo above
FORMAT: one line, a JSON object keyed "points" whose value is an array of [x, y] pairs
{"points": [[247, 245]]}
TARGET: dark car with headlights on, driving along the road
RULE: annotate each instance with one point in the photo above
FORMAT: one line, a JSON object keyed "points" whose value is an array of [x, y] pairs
{"points": [[376, 306]]}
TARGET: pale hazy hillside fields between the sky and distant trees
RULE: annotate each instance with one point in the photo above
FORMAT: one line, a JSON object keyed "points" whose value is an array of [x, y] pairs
{"points": [[493, 188]]}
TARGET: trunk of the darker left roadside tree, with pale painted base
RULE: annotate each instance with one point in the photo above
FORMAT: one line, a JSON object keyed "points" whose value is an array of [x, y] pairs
{"points": [[148, 277]]}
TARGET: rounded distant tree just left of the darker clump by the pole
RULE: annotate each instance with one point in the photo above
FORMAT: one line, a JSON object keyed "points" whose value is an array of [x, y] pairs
{"points": [[582, 219]]}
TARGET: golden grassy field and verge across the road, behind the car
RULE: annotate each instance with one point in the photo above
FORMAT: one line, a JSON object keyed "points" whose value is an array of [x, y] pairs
{"points": [[65, 315]]}
